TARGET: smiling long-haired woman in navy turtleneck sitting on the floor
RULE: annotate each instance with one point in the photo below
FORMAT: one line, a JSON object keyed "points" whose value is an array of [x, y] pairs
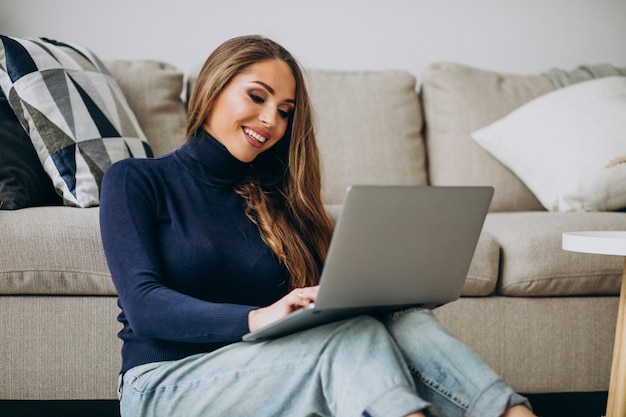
{"points": [[228, 234]]}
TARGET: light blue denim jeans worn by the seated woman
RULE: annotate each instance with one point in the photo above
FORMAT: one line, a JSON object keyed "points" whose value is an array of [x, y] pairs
{"points": [[358, 367]]}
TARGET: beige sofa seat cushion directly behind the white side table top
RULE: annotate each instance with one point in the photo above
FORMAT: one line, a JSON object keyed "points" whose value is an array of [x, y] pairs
{"points": [[533, 262]]}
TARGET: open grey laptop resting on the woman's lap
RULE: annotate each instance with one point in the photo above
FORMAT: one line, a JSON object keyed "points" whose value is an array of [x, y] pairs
{"points": [[393, 247]]}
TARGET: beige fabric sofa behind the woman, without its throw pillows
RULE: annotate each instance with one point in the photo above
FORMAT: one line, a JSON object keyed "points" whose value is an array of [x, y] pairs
{"points": [[543, 318]]}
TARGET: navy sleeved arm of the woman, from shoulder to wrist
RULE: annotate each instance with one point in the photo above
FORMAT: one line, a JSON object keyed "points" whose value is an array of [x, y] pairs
{"points": [[128, 219]]}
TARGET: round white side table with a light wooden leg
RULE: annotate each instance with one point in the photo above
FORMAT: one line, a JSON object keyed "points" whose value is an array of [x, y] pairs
{"points": [[609, 243]]}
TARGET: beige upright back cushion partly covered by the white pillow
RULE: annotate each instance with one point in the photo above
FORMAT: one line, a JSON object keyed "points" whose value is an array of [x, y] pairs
{"points": [[459, 99]]}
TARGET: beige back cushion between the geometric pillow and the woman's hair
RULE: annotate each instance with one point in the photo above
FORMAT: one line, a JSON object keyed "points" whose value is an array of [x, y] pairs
{"points": [[154, 92]]}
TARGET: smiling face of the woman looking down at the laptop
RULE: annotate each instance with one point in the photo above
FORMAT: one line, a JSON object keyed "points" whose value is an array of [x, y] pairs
{"points": [[252, 113]]}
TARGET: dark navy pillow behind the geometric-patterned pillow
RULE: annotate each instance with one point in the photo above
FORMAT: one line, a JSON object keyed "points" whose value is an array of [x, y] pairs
{"points": [[23, 181]]}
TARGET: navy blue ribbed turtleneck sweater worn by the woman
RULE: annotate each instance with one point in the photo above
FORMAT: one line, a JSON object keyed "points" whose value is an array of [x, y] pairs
{"points": [[187, 263]]}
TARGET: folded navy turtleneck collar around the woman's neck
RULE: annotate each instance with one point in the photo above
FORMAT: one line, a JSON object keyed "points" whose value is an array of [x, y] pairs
{"points": [[211, 161]]}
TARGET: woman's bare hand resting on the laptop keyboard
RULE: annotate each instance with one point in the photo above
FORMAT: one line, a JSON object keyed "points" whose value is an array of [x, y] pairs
{"points": [[296, 299]]}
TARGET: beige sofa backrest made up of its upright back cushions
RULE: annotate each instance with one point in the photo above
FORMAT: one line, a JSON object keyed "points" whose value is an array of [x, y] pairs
{"points": [[371, 124]]}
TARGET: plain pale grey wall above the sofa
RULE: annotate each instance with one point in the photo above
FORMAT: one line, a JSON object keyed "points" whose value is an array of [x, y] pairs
{"points": [[507, 35]]}
